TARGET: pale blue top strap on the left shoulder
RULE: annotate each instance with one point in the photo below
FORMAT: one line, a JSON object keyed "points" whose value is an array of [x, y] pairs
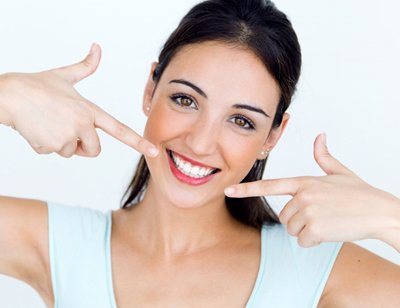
{"points": [[78, 251]]}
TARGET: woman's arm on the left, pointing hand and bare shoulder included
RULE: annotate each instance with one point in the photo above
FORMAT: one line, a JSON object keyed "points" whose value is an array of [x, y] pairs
{"points": [[67, 128]]}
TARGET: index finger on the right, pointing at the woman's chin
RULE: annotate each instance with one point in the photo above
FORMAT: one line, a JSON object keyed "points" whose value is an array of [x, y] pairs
{"points": [[284, 186]]}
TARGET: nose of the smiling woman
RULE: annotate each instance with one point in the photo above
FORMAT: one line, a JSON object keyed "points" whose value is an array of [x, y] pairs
{"points": [[202, 137]]}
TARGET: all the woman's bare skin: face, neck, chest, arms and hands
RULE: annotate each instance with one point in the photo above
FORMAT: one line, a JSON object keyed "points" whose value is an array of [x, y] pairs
{"points": [[185, 236]]}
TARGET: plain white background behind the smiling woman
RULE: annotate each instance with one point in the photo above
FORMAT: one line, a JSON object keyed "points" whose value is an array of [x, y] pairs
{"points": [[349, 89]]}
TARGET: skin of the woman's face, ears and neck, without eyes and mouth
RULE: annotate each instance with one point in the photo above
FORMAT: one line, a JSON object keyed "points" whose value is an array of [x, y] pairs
{"points": [[205, 133]]}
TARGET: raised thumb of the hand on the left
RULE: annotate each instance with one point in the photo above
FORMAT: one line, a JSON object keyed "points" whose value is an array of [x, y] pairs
{"points": [[78, 71]]}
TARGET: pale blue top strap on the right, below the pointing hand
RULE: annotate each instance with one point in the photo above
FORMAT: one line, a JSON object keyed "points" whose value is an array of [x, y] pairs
{"points": [[291, 276]]}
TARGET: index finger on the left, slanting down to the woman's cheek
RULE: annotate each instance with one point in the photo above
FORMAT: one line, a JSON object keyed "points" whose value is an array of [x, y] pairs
{"points": [[123, 133]]}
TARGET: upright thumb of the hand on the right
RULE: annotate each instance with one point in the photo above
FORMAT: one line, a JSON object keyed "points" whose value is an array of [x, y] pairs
{"points": [[325, 160]]}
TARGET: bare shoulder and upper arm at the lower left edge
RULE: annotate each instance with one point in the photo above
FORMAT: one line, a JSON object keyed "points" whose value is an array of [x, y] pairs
{"points": [[24, 242]]}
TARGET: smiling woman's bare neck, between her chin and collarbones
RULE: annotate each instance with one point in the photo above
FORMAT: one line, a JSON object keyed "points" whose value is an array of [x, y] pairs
{"points": [[168, 230]]}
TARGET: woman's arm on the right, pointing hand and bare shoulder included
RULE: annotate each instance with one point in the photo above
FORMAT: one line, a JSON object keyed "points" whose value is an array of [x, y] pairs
{"points": [[341, 207]]}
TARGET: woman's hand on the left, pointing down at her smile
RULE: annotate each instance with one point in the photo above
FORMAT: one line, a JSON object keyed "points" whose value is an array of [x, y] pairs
{"points": [[52, 116]]}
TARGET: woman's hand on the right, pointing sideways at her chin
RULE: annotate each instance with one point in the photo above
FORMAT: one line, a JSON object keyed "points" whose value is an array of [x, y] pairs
{"points": [[337, 207]]}
